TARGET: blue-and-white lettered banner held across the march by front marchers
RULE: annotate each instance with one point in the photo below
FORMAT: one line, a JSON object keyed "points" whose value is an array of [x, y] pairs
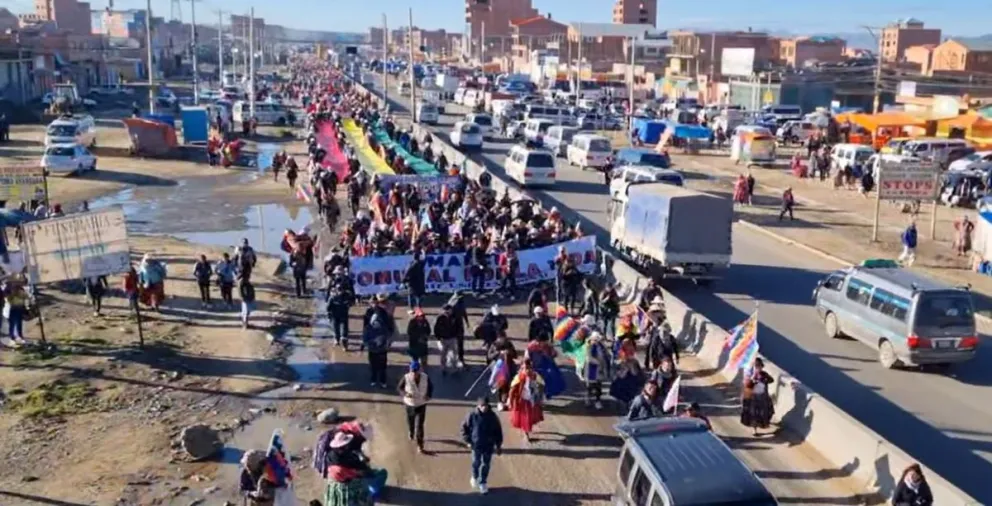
{"points": [[448, 272]]}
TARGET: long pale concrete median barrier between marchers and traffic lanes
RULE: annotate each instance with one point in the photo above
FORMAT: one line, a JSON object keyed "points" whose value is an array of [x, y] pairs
{"points": [[801, 413]]}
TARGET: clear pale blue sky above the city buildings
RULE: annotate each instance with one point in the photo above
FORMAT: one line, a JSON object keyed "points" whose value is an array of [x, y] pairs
{"points": [[803, 16]]}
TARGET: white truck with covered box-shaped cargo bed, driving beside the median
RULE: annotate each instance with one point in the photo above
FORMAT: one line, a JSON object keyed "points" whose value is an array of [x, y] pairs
{"points": [[672, 232]]}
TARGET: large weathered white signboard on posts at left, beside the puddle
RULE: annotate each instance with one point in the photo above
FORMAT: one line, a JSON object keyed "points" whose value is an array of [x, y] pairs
{"points": [[77, 246]]}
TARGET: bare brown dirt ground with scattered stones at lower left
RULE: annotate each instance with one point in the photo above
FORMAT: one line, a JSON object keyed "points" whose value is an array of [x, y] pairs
{"points": [[105, 412]]}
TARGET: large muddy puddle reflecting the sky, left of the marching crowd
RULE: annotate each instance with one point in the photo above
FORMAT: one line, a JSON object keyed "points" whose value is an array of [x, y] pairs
{"points": [[190, 210]]}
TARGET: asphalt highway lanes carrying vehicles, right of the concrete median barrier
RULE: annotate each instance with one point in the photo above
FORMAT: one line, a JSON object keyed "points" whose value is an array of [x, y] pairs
{"points": [[944, 420]]}
